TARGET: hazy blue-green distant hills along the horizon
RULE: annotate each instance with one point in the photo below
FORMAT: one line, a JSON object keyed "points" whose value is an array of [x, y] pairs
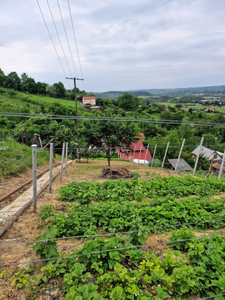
{"points": [[177, 92]]}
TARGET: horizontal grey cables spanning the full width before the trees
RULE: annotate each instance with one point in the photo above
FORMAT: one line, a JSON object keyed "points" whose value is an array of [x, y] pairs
{"points": [[112, 119]]}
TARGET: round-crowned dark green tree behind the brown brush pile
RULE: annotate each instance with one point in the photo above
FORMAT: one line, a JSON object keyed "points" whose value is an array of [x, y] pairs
{"points": [[108, 135]]}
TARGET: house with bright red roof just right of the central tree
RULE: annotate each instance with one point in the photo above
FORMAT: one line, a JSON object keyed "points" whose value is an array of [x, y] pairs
{"points": [[136, 152]]}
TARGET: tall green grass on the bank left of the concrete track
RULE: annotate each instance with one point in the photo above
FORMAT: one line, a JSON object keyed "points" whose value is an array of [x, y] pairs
{"points": [[17, 158]]}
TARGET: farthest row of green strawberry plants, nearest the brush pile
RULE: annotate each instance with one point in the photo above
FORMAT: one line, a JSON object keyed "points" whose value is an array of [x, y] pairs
{"points": [[122, 190]]}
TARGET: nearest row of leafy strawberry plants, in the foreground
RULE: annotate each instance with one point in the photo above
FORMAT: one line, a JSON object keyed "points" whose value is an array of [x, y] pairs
{"points": [[130, 273]]}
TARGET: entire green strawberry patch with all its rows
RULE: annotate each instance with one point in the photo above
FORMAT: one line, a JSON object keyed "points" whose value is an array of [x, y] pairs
{"points": [[115, 220]]}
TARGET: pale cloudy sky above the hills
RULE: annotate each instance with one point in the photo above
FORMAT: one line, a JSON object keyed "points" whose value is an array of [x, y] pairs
{"points": [[122, 44]]}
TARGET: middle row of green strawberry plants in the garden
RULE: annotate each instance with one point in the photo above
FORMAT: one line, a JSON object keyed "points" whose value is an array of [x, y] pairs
{"points": [[112, 217]]}
